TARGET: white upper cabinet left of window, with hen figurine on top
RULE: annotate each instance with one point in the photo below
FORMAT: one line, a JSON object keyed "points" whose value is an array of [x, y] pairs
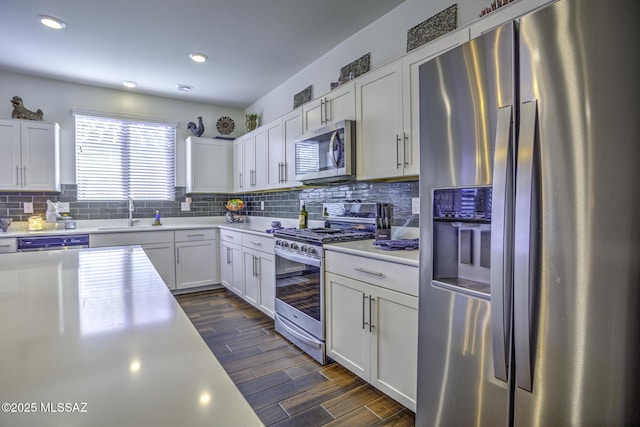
{"points": [[30, 159]]}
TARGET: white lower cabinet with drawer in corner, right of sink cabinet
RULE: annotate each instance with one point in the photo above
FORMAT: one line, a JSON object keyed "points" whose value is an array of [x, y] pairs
{"points": [[196, 258]]}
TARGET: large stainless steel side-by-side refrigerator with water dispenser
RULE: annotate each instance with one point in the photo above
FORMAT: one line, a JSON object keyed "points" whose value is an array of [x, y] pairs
{"points": [[530, 244]]}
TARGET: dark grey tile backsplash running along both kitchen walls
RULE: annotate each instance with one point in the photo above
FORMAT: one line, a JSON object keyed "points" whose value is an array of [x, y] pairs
{"points": [[282, 204]]}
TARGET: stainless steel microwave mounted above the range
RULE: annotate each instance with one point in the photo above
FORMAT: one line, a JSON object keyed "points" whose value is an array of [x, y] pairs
{"points": [[326, 154]]}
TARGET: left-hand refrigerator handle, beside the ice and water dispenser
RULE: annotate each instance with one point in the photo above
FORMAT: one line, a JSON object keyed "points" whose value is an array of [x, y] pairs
{"points": [[500, 246]]}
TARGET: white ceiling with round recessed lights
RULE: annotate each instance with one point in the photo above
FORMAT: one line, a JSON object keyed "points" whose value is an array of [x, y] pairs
{"points": [[253, 45]]}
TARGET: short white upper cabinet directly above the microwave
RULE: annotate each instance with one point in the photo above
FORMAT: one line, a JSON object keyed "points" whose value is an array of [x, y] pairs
{"points": [[339, 104]]}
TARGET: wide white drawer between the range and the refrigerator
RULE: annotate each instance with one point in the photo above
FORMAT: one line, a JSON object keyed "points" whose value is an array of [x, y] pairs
{"points": [[397, 277]]}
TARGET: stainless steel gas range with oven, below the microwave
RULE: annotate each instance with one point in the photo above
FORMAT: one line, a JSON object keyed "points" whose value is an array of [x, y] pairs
{"points": [[299, 272]]}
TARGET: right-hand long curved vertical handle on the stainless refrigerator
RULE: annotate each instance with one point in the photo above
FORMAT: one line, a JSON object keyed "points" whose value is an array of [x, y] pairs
{"points": [[525, 246]]}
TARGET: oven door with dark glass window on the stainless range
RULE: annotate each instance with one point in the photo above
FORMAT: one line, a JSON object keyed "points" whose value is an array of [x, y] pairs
{"points": [[299, 293]]}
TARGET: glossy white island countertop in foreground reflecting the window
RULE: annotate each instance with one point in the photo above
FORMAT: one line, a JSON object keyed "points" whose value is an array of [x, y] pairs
{"points": [[98, 330]]}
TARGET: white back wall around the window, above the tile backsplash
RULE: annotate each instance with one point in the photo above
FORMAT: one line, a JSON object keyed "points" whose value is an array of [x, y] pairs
{"points": [[56, 99]]}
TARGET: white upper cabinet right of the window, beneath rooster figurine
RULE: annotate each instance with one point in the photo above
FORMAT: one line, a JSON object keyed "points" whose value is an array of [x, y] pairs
{"points": [[209, 165]]}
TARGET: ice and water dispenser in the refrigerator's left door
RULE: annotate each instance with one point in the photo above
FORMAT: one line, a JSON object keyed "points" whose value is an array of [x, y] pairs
{"points": [[462, 240]]}
